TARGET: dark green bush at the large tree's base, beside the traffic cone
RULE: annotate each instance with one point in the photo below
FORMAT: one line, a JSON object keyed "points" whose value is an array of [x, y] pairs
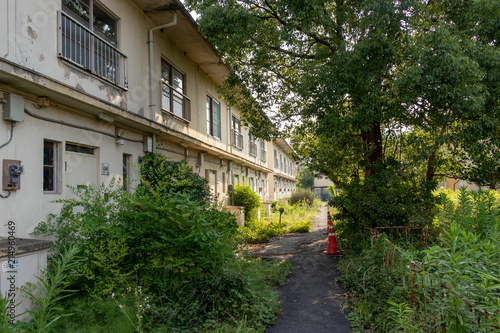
{"points": [[382, 200]]}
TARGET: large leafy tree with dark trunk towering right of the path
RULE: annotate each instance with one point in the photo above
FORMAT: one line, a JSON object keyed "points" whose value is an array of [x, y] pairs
{"points": [[381, 96]]}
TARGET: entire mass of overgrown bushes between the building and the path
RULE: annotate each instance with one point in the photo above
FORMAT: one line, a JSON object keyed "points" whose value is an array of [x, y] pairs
{"points": [[165, 240]]}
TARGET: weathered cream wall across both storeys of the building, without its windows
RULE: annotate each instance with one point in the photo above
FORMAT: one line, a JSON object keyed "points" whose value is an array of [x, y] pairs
{"points": [[30, 68]]}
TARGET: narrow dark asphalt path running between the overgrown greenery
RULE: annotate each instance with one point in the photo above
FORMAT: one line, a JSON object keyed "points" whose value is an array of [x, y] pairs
{"points": [[312, 299]]}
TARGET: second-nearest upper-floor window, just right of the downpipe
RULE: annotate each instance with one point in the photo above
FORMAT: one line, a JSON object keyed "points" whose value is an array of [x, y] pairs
{"points": [[173, 98]]}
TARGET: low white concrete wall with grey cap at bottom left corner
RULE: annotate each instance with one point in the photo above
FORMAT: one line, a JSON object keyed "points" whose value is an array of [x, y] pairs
{"points": [[22, 261]]}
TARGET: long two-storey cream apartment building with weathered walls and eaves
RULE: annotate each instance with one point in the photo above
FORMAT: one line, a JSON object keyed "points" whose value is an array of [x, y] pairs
{"points": [[88, 86]]}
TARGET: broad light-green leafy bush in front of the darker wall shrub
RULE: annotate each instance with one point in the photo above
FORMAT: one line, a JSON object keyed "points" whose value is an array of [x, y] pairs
{"points": [[141, 238]]}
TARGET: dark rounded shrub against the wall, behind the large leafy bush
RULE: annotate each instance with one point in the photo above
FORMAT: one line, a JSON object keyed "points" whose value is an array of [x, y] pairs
{"points": [[158, 173]]}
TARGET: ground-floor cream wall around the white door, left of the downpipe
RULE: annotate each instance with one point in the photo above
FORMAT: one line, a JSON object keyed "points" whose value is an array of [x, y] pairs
{"points": [[27, 146]]}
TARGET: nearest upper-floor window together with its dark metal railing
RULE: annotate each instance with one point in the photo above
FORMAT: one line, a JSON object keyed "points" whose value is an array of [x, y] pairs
{"points": [[88, 38]]}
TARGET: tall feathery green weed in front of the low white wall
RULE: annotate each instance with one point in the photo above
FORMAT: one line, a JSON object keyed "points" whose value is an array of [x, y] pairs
{"points": [[51, 289]]}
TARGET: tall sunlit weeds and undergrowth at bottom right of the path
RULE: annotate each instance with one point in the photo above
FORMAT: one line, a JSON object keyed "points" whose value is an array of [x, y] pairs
{"points": [[459, 273]]}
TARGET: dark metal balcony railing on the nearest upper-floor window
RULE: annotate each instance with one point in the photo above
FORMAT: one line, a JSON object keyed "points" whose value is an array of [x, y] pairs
{"points": [[85, 49]]}
